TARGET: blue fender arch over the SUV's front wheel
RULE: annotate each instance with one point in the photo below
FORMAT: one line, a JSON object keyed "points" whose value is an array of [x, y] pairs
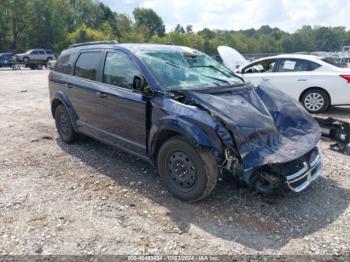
{"points": [[190, 131]]}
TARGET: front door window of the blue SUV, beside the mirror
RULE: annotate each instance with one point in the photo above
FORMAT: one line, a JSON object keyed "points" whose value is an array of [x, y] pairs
{"points": [[119, 70]]}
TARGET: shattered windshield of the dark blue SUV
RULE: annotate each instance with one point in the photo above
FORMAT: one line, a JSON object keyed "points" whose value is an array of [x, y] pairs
{"points": [[187, 69]]}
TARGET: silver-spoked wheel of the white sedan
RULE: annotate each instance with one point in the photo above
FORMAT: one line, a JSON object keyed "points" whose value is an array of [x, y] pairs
{"points": [[315, 101]]}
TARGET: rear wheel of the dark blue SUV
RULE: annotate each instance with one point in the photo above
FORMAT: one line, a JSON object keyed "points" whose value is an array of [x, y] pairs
{"points": [[64, 125]]}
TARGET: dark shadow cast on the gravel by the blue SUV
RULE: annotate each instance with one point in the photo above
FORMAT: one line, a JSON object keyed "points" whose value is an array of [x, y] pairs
{"points": [[231, 213]]}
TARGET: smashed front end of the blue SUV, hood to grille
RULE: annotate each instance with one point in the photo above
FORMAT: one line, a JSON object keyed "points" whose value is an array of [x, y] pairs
{"points": [[270, 140]]}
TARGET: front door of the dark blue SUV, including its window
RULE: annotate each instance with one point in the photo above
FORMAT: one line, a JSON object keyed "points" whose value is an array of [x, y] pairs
{"points": [[121, 112]]}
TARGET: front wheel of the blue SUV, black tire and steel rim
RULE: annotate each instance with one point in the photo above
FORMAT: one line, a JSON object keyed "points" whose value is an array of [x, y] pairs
{"points": [[189, 173]]}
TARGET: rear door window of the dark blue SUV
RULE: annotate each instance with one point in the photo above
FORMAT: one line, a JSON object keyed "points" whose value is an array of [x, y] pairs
{"points": [[87, 65]]}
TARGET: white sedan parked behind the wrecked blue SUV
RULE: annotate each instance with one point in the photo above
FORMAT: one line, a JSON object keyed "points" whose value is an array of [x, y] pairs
{"points": [[313, 81]]}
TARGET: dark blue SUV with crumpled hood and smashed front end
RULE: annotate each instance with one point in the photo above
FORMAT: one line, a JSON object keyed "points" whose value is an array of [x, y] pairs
{"points": [[188, 115]]}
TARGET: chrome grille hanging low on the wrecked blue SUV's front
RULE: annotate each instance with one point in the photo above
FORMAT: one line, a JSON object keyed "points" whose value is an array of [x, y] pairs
{"points": [[311, 170]]}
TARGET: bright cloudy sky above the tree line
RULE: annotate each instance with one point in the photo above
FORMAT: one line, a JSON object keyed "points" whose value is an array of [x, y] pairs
{"points": [[288, 15]]}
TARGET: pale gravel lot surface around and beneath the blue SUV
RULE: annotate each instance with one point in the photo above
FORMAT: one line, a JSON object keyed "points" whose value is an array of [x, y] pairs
{"points": [[89, 198]]}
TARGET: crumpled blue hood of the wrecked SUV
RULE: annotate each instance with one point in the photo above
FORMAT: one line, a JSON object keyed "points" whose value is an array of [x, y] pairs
{"points": [[267, 125]]}
